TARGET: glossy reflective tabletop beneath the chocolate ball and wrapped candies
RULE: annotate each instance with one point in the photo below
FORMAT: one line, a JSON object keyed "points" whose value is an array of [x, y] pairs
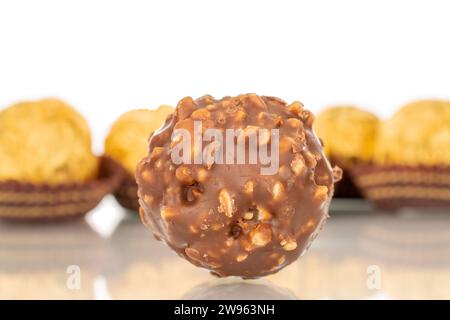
{"points": [[359, 254]]}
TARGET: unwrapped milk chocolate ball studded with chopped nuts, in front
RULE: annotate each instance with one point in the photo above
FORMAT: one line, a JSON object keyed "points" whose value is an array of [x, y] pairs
{"points": [[229, 218]]}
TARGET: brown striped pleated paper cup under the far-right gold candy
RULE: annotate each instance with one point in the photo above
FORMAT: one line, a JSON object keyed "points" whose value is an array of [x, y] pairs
{"points": [[391, 187]]}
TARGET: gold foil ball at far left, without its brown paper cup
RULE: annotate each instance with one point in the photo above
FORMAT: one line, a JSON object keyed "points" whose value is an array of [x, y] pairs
{"points": [[45, 141]]}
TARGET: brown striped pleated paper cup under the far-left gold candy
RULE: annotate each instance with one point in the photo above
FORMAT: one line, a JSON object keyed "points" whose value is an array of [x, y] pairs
{"points": [[42, 201]]}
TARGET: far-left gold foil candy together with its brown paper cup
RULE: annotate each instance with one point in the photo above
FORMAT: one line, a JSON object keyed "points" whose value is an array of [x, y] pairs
{"points": [[47, 168]]}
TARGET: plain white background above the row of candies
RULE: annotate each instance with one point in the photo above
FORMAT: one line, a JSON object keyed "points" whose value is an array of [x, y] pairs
{"points": [[105, 57]]}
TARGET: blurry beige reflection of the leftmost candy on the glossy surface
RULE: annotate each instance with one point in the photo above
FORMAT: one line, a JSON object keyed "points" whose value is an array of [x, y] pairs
{"points": [[37, 260]]}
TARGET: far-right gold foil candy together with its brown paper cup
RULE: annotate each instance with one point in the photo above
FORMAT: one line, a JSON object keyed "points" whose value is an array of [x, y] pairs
{"points": [[411, 166]]}
